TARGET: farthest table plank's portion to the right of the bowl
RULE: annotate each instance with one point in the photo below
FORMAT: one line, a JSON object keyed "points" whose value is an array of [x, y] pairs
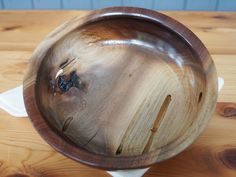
{"points": [[216, 30]]}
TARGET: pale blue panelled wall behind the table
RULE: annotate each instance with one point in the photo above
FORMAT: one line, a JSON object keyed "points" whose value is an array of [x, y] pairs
{"points": [[200, 5]]}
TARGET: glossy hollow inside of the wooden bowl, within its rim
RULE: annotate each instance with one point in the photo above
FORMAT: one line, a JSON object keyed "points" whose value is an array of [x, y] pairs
{"points": [[120, 86]]}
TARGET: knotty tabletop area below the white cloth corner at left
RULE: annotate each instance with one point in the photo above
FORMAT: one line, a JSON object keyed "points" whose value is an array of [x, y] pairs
{"points": [[23, 151]]}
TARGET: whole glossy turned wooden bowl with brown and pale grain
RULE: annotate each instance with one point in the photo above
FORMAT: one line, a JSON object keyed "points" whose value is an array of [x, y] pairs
{"points": [[120, 88]]}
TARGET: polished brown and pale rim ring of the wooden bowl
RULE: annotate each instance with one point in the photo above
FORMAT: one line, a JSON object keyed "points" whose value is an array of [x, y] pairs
{"points": [[106, 162]]}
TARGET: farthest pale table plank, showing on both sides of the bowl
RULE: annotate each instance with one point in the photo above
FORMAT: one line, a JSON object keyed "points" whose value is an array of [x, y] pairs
{"points": [[216, 30]]}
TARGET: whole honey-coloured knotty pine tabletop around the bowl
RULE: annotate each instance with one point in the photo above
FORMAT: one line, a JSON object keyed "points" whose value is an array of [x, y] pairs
{"points": [[22, 150]]}
